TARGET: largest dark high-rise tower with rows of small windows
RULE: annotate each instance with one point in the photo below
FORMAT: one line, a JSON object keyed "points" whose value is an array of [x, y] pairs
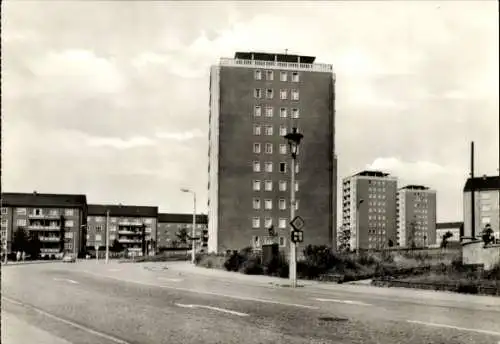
{"points": [[255, 99]]}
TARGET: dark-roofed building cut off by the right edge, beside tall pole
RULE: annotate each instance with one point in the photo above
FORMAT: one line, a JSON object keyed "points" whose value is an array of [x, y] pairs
{"points": [[486, 206]]}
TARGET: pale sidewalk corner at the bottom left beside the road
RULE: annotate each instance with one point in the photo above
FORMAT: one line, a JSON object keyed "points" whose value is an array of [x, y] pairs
{"points": [[16, 331]]}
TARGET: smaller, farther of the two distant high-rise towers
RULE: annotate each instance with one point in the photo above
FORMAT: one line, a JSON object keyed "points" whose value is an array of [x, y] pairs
{"points": [[416, 221]]}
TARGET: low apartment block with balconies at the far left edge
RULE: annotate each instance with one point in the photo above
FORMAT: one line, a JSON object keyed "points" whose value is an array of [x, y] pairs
{"points": [[56, 219]]}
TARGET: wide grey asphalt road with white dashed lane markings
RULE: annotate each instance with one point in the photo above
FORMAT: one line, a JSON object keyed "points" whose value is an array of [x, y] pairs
{"points": [[142, 303]]}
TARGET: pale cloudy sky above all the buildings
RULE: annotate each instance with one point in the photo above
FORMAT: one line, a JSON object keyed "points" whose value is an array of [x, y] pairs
{"points": [[110, 99]]}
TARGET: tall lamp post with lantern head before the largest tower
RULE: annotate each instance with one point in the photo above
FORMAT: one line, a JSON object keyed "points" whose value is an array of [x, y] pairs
{"points": [[293, 139]]}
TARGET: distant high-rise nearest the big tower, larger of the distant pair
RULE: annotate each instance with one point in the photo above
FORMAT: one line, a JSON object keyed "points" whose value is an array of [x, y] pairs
{"points": [[369, 209]]}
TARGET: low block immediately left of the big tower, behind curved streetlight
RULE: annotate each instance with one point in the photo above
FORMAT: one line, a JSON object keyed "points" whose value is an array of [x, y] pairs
{"points": [[169, 225]]}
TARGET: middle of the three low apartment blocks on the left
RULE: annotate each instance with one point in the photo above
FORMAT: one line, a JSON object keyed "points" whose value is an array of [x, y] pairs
{"points": [[125, 222]]}
